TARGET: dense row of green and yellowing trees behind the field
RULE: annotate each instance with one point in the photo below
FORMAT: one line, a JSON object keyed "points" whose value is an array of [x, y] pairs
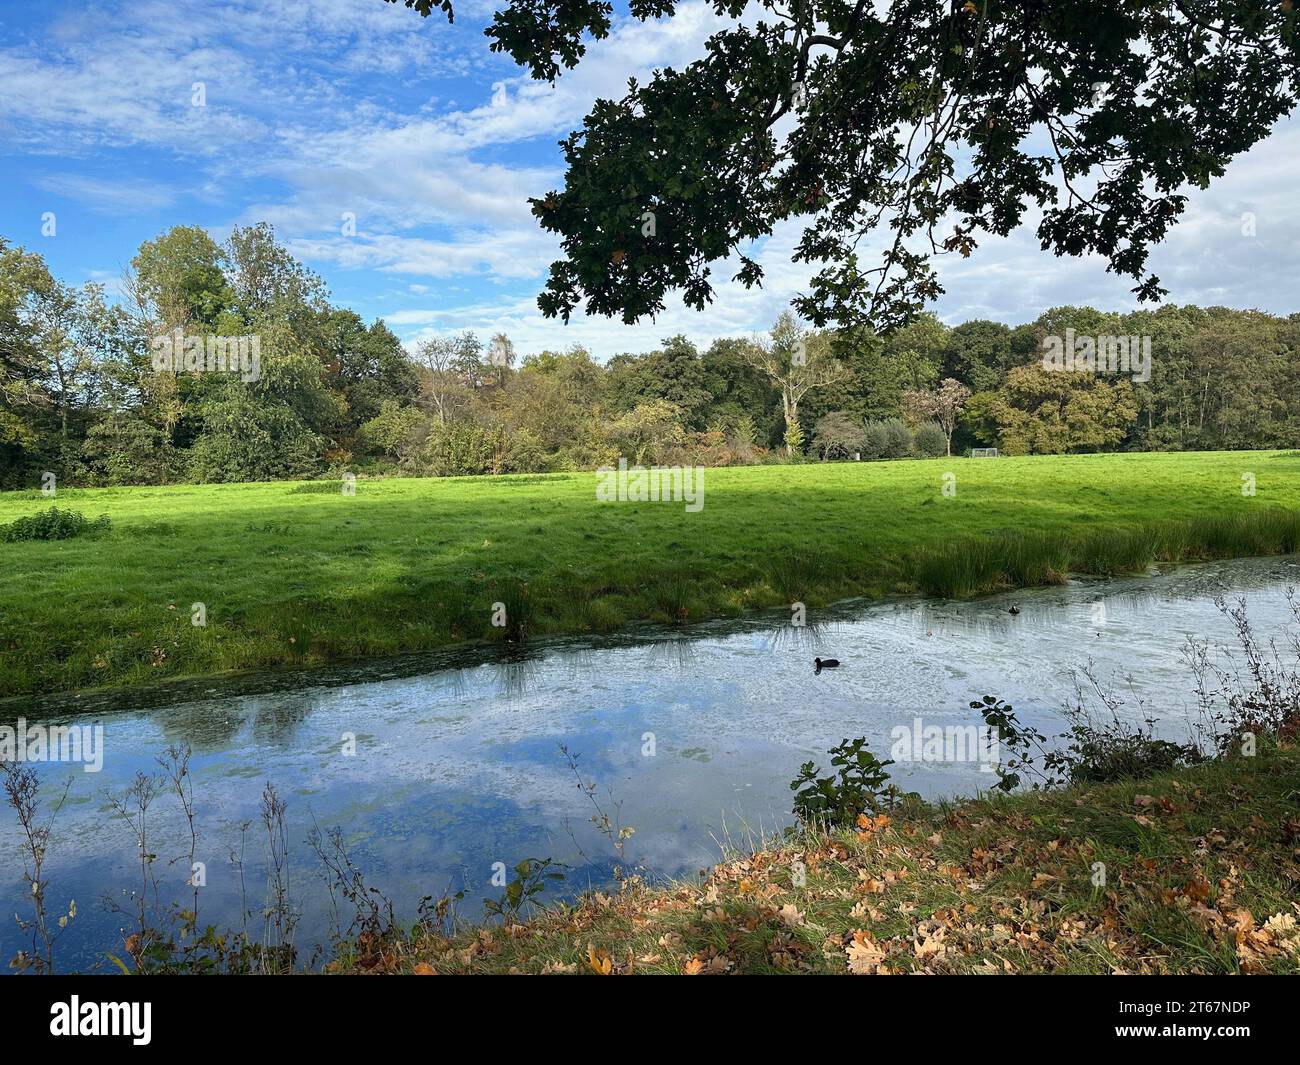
{"points": [[80, 395]]}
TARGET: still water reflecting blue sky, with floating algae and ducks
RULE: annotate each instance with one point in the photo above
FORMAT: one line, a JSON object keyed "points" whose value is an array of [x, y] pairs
{"points": [[458, 760]]}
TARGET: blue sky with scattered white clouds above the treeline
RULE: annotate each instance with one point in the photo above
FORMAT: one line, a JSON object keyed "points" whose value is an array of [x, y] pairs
{"points": [[125, 119]]}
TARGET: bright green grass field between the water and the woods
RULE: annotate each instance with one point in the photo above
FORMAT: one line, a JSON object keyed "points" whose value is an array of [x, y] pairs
{"points": [[297, 575]]}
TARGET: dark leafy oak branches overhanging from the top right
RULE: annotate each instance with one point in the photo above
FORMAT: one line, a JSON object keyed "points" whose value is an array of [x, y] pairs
{"points": [[924, 125]]}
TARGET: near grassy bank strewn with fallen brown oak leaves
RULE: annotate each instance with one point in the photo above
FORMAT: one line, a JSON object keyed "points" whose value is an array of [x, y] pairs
{"points": [[1201, 869]]}
